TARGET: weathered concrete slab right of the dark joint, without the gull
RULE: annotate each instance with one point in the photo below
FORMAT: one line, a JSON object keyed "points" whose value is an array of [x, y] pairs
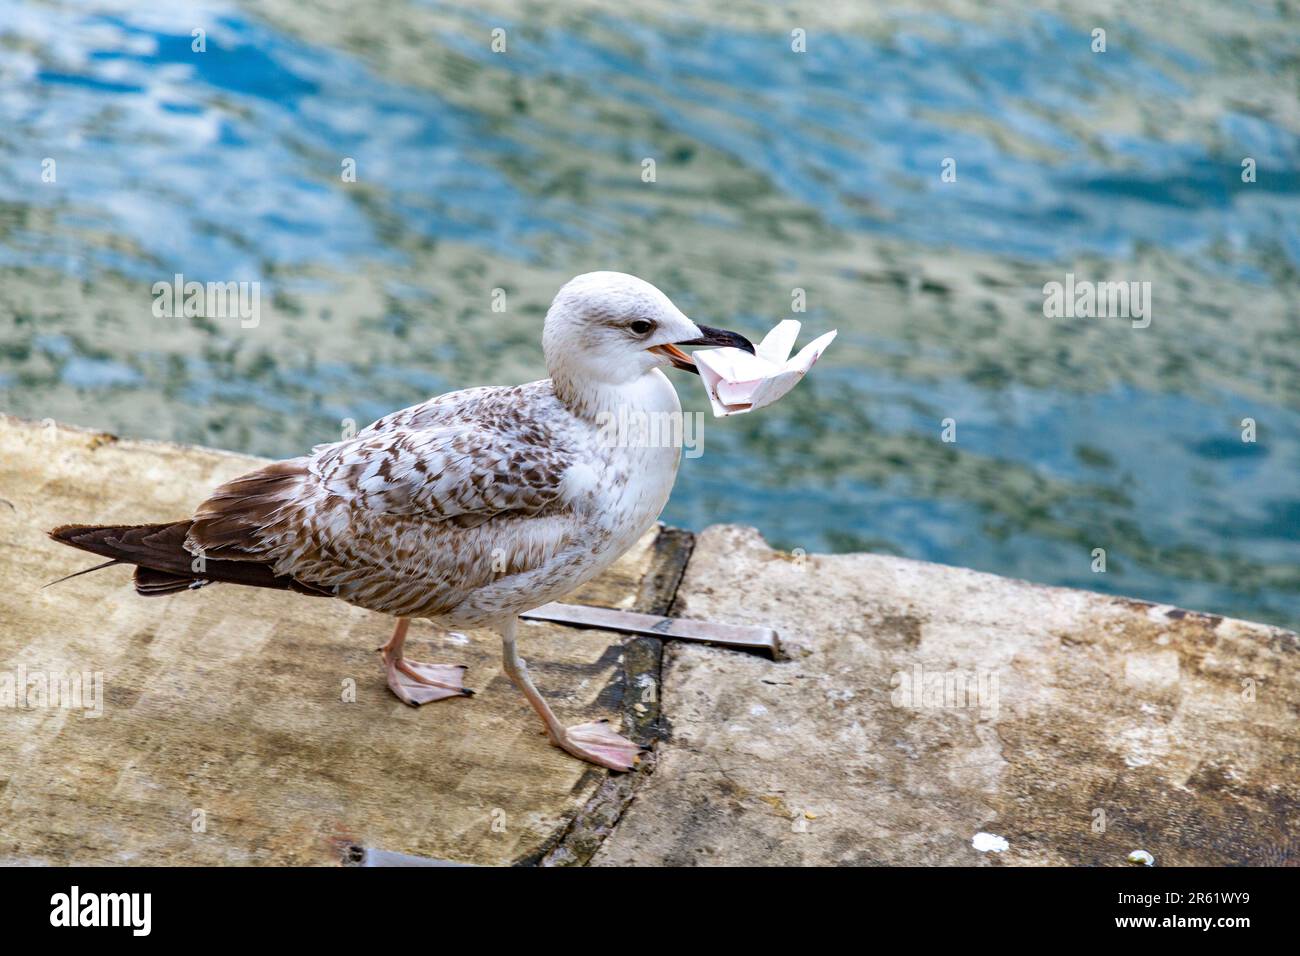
{"points": [[1115, 725]]}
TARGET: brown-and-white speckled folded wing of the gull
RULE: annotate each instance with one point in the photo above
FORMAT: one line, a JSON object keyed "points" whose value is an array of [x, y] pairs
{"points": [[410, 514]]}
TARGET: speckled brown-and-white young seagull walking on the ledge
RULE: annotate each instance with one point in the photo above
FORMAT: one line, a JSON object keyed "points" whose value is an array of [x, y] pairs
{"points": [[466, 511]]}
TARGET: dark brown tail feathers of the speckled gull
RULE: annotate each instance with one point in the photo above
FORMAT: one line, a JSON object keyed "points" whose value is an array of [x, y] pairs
{"points": [[163, 565]]}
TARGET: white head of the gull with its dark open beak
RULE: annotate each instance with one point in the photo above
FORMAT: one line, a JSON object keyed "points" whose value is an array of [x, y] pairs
{"points": [[613, 328]]}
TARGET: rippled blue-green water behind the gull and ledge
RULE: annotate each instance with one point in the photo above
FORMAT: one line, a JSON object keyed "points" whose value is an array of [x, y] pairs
{"points": [[775, 171]]}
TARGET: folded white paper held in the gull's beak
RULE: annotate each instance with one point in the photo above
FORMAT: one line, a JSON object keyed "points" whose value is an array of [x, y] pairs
{"points": [[738, 382]]}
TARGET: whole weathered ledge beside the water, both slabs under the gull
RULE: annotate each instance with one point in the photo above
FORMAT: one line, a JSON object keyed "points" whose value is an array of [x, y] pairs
{"points": [[918, 706]]}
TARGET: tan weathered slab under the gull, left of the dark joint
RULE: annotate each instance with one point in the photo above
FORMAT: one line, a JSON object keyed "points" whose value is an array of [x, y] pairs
{"points": [[229, 702]]}
